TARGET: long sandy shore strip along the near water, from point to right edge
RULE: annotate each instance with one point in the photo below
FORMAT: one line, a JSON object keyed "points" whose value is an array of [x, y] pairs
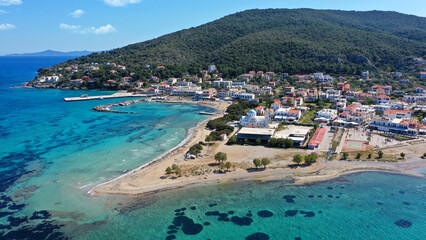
{"points": [[318, 172]]}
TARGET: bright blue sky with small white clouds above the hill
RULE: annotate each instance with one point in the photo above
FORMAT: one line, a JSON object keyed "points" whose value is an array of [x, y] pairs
{"points": [[64, 25]]}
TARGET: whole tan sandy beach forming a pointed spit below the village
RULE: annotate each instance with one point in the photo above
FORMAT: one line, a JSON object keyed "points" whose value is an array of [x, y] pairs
{"points": [[151, 178]]}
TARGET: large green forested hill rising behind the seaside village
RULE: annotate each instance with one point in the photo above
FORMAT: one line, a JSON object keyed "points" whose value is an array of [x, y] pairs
{"points": [[282, 40]]}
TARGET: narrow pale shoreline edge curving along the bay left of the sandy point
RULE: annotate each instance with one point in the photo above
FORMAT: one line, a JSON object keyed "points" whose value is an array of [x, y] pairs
{"points": [[189, 135]]}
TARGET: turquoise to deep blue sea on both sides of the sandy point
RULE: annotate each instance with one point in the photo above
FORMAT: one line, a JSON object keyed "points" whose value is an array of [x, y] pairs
{"points": [[53, 152]]}
